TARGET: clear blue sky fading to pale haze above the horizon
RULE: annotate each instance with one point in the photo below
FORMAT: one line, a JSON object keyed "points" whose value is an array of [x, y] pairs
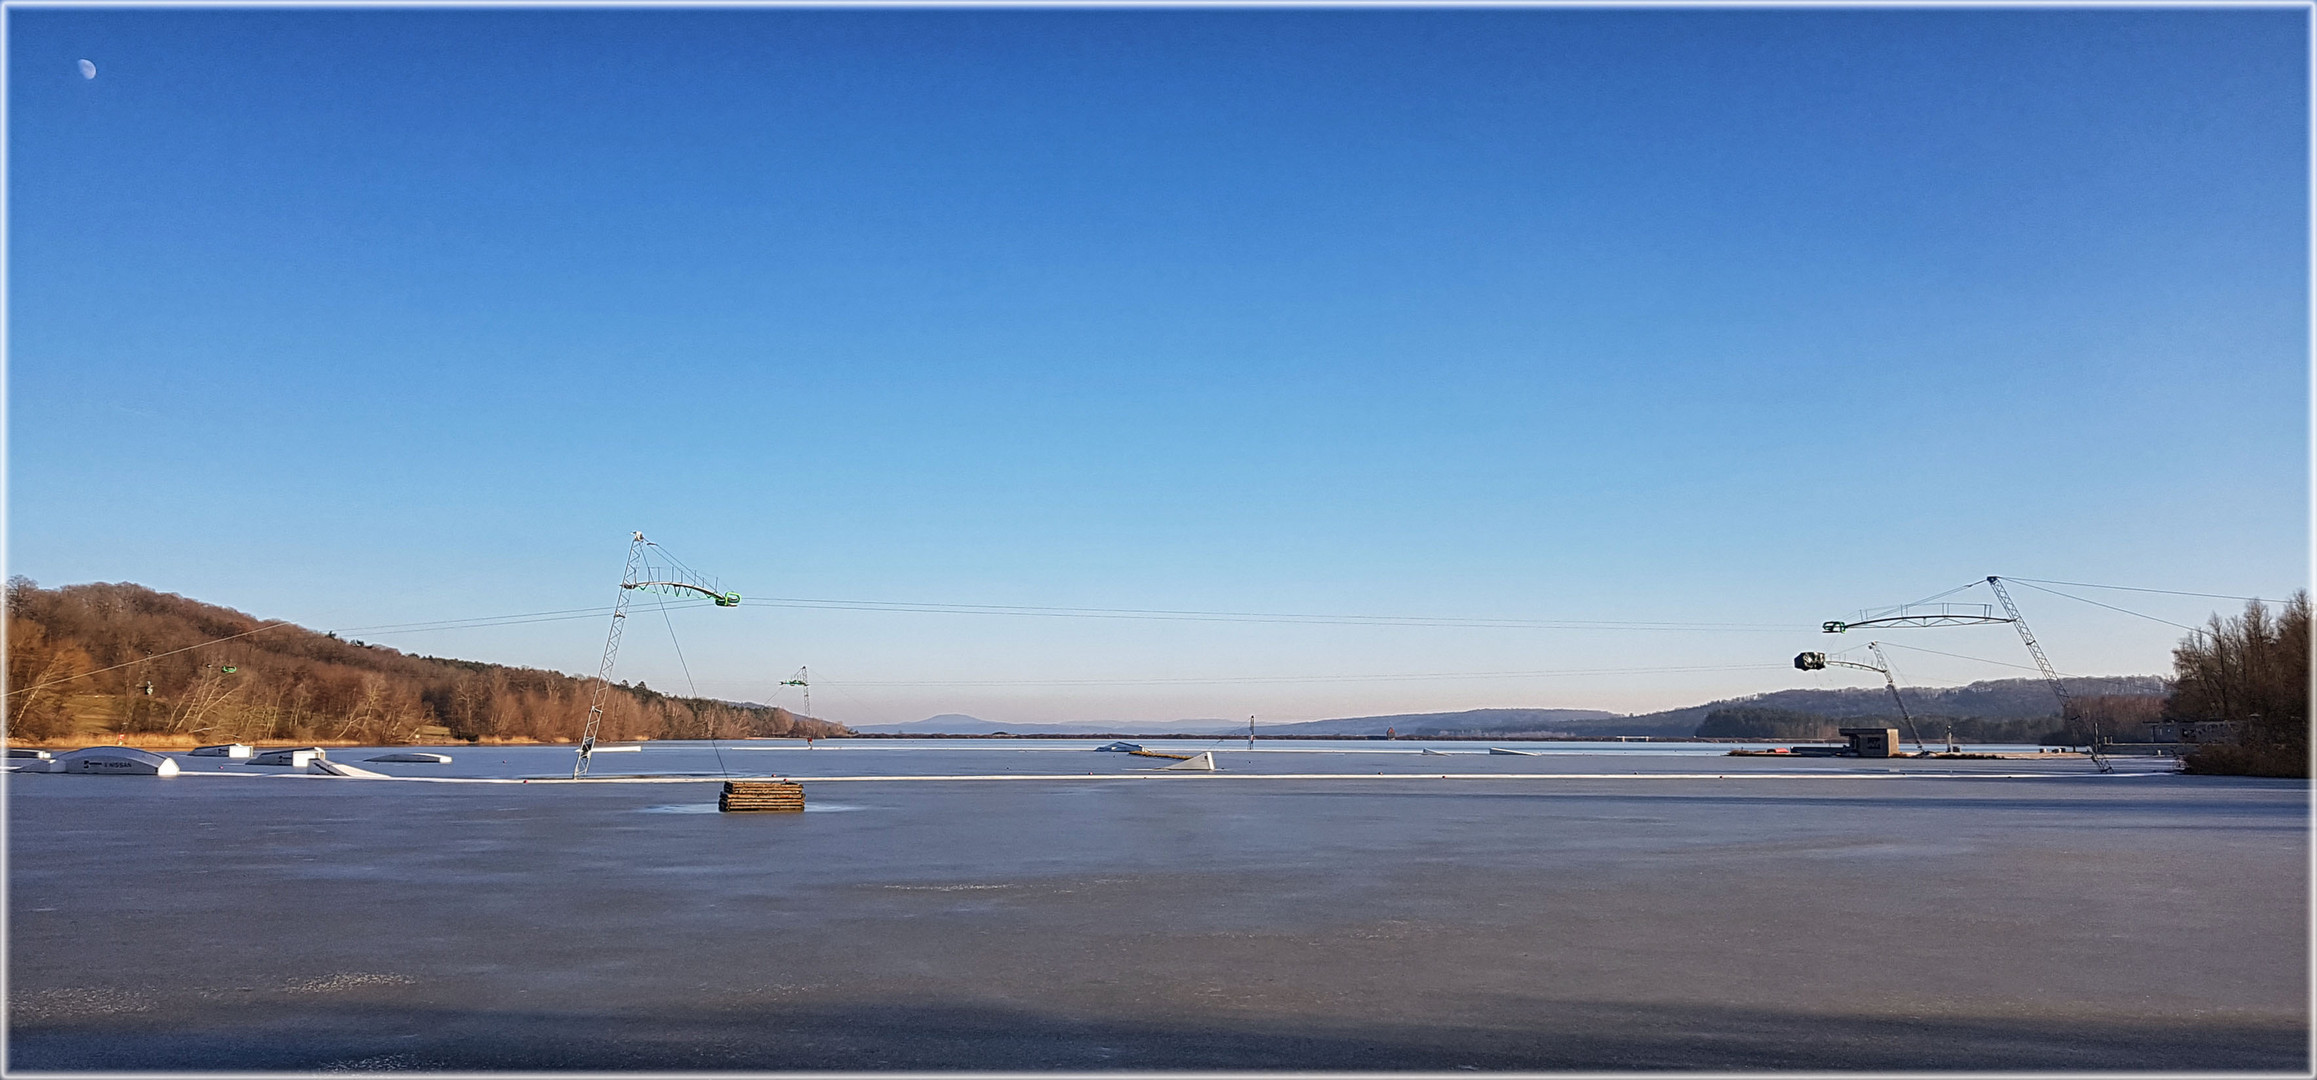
{"points": [[363, 316]]}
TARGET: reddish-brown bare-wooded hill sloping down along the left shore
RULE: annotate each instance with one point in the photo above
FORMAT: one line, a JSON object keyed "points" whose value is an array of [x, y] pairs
{"points": [[103, 659]]}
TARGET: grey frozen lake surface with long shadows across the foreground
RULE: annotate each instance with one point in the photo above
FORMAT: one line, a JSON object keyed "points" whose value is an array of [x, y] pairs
{"points": [[1591, 907]]}
